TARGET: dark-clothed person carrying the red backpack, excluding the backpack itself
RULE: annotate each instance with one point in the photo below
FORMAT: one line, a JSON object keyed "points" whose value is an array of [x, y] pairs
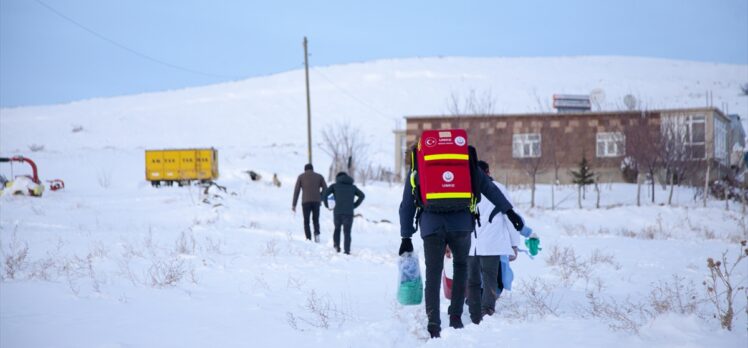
{"points": [[439, 230]]}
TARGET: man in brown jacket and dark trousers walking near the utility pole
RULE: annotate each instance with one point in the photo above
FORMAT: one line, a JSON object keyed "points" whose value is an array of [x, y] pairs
{"points": [[312, 184]]}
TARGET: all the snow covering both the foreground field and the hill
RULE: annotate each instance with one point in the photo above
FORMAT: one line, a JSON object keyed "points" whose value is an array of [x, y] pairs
{"points": [[113, 262]]}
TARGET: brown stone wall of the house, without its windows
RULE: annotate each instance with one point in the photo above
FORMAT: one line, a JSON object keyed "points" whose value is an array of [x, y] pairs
{"points": [[565, 139]]}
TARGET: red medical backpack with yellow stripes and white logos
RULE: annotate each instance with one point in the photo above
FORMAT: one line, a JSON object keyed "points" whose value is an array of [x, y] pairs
{"points": [[444, 172]]}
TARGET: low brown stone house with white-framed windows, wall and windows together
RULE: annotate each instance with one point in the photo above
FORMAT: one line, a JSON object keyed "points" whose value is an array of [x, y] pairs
{"points": [[551, 145]]}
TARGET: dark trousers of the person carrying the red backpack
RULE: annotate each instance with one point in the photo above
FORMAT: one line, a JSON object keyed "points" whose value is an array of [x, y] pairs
{"points": [[433, 249]]}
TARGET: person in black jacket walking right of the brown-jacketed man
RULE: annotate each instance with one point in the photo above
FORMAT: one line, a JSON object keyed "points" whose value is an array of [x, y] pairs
{"points": [[344, 192]]}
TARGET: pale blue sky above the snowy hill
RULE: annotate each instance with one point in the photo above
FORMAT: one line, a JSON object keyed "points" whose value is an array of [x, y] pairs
{"points": [[56, 51]]}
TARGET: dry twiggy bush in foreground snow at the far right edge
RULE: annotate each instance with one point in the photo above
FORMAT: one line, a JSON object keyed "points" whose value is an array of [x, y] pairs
{"points": [[722, 288]]}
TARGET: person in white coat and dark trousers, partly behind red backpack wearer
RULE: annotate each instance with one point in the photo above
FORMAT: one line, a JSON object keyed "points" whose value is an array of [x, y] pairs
{"points": [[490, 242]]}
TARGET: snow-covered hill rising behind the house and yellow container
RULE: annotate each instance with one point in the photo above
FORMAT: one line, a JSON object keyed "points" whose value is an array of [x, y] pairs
{"points": [[373, 95]]}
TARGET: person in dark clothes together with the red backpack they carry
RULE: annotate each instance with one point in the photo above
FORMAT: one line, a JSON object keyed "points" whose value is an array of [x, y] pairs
{"points": [[442, 195]]}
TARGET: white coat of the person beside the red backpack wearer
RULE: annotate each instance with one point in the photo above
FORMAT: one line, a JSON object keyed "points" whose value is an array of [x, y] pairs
{"points": [[496, 238]]}
